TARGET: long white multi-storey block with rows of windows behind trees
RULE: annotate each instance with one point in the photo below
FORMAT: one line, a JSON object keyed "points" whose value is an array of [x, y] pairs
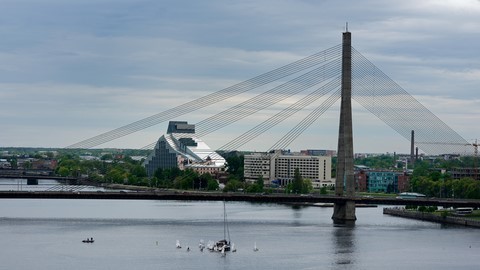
{"points": [[280, 168]]}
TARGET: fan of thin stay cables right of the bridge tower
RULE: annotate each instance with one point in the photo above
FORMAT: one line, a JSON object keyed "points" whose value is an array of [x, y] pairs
{"points": [[394, 106]]}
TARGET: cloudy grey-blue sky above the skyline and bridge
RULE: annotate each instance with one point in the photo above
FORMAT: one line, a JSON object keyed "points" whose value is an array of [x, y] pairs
{"points": [[70, 70]]}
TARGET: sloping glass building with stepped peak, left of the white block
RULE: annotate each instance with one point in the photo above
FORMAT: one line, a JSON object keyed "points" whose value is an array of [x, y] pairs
{"points": [[180, 148]]}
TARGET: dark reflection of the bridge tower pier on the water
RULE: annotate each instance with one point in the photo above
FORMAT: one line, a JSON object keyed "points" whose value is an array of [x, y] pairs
{"points": [[344, 246]]}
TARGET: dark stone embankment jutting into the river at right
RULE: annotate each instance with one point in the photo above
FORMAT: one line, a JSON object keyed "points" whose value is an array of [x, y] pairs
{"points": [[456, 220]]}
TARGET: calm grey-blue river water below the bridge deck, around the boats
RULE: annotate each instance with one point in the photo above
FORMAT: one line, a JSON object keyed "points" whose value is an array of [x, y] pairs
{"points": [[47, 234]]}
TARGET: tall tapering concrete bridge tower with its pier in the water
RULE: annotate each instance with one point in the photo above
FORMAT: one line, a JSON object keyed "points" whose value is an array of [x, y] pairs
{"points": [[345, 182]]}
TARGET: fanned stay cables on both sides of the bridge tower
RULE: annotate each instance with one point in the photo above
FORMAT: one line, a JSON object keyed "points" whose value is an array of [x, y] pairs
{"points": [[314, 78]]}
